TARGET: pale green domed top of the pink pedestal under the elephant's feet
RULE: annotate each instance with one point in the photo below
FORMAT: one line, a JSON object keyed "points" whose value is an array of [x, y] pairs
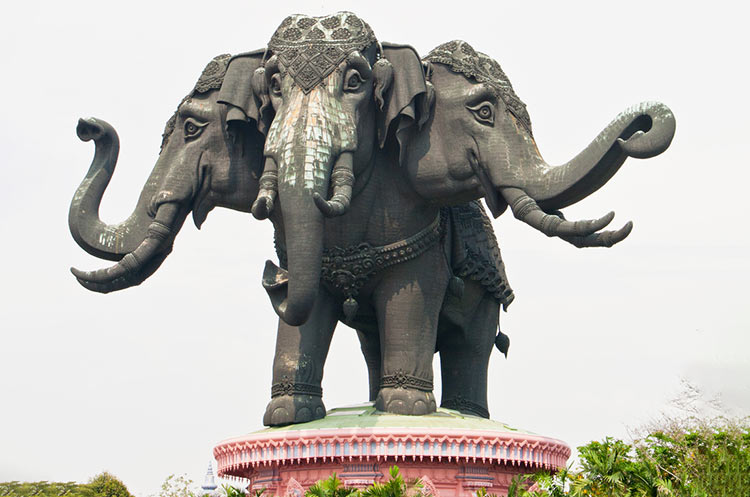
{"points": [[366, 416]]}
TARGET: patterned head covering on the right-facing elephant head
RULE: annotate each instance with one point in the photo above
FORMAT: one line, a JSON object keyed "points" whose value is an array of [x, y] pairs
{"points": [[460, 57]]}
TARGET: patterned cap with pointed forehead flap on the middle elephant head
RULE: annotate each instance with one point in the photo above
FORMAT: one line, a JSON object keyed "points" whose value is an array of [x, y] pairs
{"points": [[310, 48]]}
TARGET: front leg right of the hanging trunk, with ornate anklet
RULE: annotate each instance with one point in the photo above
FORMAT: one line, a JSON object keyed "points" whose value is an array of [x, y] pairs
{"points": [[408, 300]]}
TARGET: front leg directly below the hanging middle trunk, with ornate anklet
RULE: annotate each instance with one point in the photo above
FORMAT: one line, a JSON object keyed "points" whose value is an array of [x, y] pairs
{"points": [[296, 393]]}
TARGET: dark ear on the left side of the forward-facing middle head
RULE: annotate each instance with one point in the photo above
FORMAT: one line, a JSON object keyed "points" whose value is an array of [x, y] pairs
{"points": [[244, 109]]}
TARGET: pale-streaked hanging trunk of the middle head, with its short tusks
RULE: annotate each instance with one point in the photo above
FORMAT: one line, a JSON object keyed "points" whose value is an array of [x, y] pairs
{"points": [[311, 143]]}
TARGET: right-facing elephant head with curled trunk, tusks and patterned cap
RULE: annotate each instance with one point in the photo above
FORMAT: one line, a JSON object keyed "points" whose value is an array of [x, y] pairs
{"points": [[479, 143]]}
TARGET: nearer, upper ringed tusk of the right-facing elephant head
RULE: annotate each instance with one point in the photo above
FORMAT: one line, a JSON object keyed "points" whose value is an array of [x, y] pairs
{"points": [[527, 210]]}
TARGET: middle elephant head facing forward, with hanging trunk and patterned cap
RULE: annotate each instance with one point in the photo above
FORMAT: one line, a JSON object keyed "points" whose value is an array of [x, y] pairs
{"points": [[329, 93]]}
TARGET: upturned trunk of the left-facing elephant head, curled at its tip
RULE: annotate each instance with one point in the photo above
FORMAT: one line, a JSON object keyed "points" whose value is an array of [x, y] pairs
{"points": [[108, 241]]}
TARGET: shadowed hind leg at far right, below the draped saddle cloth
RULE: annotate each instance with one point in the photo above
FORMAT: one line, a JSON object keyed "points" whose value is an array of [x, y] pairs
{"points": [[465, 346]]}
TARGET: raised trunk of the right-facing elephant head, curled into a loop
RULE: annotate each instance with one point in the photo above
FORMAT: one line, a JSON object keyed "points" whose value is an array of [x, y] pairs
{"points": [[642, 131]]}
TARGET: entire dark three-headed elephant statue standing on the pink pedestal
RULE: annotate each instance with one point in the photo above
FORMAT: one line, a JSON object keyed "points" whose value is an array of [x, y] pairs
{"points": [[370, 162]]}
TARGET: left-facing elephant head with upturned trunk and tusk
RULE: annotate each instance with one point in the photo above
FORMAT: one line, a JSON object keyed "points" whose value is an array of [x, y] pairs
{"points": [[203, 163]]}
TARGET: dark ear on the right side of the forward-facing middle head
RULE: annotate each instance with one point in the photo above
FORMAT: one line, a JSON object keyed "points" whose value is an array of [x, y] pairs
{"points": [[407, 102]]}
